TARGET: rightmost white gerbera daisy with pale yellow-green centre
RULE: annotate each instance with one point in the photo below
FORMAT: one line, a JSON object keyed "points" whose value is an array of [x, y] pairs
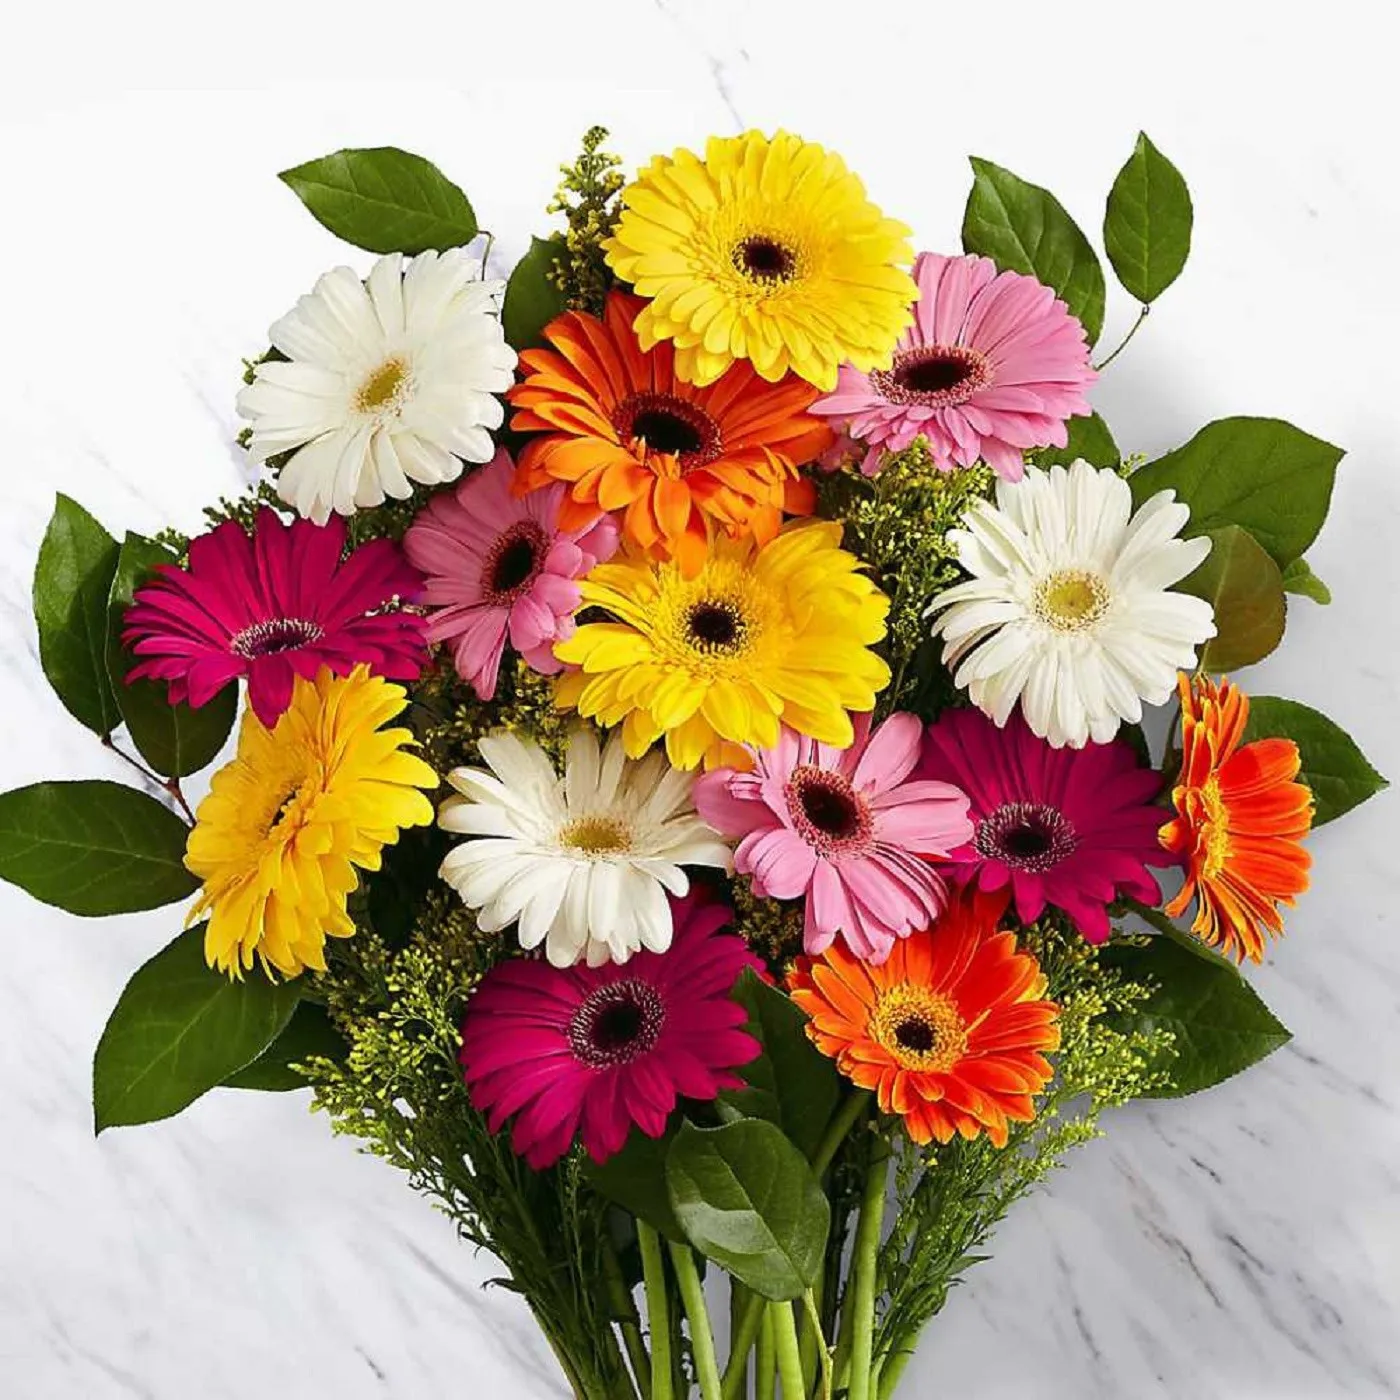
{"points": [[1069, 608]]}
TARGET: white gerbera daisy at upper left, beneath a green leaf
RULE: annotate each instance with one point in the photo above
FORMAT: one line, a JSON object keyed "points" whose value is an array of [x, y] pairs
{"points": [[387, 383]]}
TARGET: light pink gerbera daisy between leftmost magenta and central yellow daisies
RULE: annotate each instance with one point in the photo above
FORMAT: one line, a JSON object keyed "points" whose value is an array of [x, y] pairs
{"points": [[500, 566]]}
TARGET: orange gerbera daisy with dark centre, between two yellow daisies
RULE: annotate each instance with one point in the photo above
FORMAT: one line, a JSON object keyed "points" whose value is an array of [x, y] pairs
{"points": [[626, 435]]}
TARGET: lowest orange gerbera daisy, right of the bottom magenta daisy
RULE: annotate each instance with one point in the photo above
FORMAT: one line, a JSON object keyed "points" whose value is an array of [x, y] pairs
{"points": [[950, 1032]]}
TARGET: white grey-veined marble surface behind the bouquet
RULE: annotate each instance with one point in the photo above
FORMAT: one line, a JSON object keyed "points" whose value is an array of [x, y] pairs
{"points": [[1238, 1247]]}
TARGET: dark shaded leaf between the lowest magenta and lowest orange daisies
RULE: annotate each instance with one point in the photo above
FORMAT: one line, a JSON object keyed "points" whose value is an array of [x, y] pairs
{"points": [[792, 1084]]}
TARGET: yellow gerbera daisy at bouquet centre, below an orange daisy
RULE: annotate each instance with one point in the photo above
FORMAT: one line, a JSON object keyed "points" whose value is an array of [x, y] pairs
{"points": [[762, 635]]}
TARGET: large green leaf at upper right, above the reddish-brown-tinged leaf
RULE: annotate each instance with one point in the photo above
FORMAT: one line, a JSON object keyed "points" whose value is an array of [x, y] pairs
{"points": [[1261, 474]]}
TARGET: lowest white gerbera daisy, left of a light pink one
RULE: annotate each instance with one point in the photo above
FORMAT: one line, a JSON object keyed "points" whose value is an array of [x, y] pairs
{"points": [[582, 862]]}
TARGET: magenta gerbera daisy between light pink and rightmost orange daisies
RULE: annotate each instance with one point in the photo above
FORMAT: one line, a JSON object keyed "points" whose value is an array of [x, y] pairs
{"points": [[1073, 828]]}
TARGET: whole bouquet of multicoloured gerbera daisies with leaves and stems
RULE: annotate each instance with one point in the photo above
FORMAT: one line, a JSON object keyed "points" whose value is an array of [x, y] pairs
{"points": [[692, 806]]}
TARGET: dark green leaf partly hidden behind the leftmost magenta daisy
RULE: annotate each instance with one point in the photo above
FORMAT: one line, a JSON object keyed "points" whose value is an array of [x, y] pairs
{"points": [[176, 740]]}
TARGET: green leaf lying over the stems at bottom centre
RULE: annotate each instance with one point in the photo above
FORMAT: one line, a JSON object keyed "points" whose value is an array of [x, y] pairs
{"points": [[748, 1200]]}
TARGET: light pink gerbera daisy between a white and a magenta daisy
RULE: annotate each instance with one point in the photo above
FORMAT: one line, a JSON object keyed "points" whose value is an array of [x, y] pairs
{"points": [[845, 831]]}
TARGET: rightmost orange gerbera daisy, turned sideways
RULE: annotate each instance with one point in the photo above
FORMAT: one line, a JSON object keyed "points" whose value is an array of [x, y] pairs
{"points": [[1240, 820]]}
